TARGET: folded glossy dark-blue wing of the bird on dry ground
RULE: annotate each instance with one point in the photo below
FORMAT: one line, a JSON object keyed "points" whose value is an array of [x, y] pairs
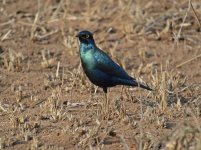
{"points": [[107, 65]]}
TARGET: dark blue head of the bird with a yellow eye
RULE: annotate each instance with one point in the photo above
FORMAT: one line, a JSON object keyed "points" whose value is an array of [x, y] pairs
{"points": [[85, 37]]}
